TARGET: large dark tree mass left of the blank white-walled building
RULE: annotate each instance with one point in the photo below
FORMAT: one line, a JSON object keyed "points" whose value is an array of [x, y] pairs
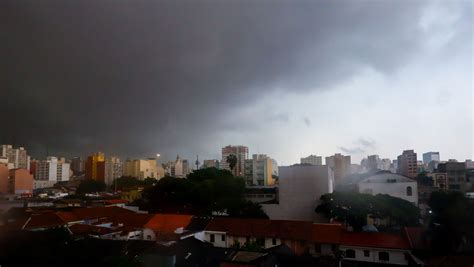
{"points": [[205, 192]]}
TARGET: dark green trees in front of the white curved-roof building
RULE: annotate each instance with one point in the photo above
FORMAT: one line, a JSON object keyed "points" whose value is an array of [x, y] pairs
{"points": [[354, 208]]}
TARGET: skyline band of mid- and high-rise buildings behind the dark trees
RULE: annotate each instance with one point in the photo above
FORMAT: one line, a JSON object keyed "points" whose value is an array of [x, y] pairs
{"points": [[285, 192]]}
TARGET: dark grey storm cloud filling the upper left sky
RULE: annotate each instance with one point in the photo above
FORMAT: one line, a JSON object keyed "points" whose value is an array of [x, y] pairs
{"points": [[136, 77]]}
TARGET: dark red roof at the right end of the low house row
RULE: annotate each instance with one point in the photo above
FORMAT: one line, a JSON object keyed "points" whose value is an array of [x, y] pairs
{"points": [[374, 240]]}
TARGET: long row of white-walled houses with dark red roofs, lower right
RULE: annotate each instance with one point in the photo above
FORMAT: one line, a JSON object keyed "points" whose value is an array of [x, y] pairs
{"points": [[326, 241]]}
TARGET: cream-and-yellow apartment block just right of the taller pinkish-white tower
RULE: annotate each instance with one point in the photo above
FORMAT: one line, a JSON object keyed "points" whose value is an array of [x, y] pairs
{"points": [[260, 170]]}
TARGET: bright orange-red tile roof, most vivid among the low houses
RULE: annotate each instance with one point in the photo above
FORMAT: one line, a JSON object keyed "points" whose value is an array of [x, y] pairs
{"points": [[168, 223]]}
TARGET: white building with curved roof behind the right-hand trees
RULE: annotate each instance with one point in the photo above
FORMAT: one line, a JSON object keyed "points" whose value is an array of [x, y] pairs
{"points": [[391, 184]]}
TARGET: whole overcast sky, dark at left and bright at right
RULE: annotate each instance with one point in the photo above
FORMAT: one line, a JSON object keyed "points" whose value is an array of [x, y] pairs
{"points": [[288, 79]]}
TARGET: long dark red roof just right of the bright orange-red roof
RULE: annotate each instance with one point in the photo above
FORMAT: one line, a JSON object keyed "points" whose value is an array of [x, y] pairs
{"points": [[295, 230]]}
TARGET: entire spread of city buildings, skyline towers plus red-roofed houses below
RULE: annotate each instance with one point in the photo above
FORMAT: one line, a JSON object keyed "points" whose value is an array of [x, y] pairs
{"points": [[287, 194]]}
